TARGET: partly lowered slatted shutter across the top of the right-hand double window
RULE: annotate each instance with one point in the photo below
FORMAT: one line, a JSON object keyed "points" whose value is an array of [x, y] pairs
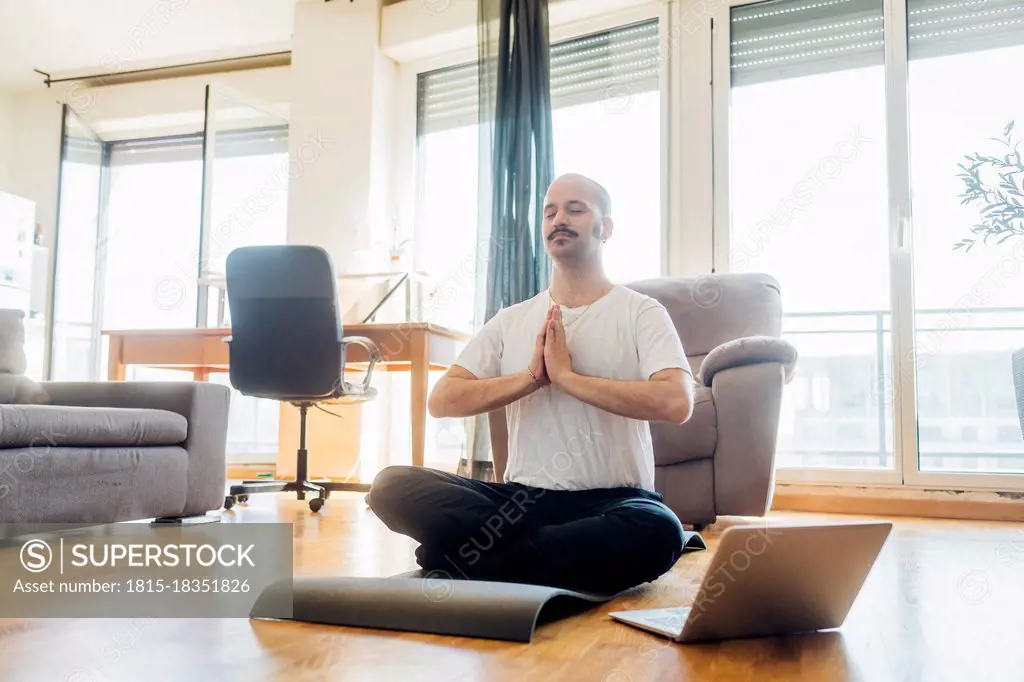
{"points": [[782, 39]]}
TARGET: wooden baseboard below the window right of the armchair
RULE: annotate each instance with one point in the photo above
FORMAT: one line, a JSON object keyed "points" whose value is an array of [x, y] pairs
{"points": [[891, 502]]}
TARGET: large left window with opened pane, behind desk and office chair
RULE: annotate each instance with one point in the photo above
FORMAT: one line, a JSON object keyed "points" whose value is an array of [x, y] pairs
{"points": [[130, 244]]}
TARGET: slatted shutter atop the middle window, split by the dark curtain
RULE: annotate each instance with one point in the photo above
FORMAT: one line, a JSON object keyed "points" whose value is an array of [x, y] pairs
{"points": [[587, 69]]}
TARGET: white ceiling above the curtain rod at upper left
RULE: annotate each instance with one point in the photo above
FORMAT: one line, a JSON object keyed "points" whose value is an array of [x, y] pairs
{"points": [[80, 37]]}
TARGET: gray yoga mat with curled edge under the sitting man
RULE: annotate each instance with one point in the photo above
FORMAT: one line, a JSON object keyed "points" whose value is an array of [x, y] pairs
{"points": [[430, 603]]}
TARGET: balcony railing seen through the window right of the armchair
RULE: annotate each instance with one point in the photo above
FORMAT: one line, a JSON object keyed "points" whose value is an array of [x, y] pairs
{"points": [[839, 410]]}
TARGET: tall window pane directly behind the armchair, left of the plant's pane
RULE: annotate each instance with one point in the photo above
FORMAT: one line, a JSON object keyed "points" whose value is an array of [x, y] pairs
{"points": [[808, 194]]}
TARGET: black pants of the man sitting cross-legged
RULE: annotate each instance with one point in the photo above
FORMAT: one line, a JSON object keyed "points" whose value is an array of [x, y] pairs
{"points": [[606, 540]]}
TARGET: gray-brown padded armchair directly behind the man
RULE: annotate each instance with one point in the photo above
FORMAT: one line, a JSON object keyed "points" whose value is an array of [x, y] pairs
{"points": [[722, 461]]}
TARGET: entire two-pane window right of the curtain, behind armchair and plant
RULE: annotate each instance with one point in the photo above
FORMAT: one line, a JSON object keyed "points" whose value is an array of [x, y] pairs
{"points": [[862, 152]]}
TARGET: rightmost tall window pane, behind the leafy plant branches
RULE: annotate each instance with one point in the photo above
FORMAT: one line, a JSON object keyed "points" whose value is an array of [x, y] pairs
{"points": [[969, 303]]}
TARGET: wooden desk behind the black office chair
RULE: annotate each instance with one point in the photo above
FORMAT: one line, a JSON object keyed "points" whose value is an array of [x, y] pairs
{"points": [[416, 348]]}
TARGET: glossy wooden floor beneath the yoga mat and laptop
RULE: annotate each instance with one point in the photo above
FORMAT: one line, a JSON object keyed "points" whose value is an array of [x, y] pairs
{"points": [[946, 602]]}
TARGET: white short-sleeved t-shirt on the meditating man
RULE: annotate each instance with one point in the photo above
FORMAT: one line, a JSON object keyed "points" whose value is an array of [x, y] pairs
{"points": [[558, 442]]}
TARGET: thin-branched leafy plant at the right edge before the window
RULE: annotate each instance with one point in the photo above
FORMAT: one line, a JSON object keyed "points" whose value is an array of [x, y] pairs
{"points": [[996, 184]]}
